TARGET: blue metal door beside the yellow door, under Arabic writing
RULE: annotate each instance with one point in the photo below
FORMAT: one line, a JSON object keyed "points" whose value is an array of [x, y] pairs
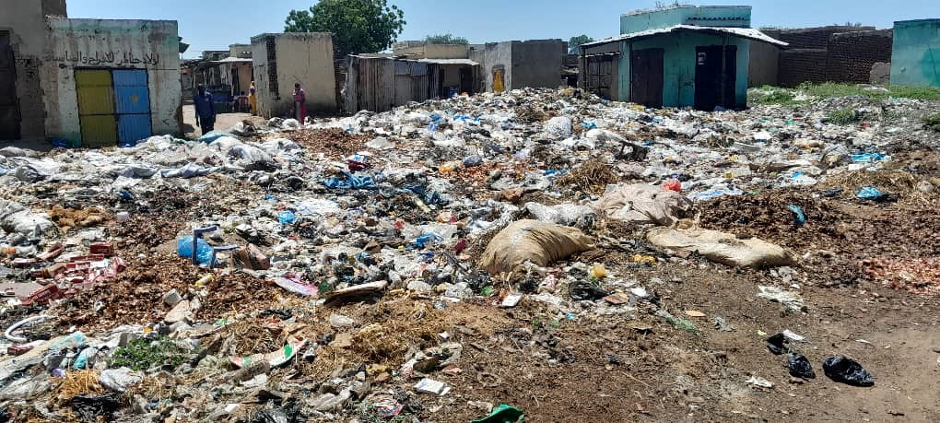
{"points": [[132, 99]]}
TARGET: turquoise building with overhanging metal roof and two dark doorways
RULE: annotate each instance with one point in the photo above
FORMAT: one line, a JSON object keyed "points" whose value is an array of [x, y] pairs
{"points": [[675, 57]]}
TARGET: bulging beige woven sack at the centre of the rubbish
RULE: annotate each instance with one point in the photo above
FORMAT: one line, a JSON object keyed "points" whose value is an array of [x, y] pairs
{"points": [[532, 241]]}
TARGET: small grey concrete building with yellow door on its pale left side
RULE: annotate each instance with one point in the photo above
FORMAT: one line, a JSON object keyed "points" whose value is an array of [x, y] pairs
{"points": [[510, 65]]}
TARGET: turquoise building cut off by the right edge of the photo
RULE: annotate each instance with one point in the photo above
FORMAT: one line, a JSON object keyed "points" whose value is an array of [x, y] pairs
{"points": [[915, 53]]}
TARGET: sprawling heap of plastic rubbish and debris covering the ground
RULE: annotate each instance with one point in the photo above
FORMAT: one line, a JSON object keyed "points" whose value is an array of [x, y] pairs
{"points": [[341, 269]]}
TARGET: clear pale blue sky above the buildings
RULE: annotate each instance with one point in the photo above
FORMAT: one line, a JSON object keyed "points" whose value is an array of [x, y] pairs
{"points": [[214, 24]]}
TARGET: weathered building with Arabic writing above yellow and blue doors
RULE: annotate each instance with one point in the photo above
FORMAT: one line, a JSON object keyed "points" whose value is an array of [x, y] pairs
{"points": [[93, 82]]}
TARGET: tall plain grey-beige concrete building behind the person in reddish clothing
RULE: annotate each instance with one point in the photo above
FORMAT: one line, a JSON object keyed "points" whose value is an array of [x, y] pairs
{"points": [[281, 60]]}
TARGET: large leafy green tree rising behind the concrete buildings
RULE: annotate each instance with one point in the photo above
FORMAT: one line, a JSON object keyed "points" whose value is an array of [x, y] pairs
{"points": [[359, 26]]}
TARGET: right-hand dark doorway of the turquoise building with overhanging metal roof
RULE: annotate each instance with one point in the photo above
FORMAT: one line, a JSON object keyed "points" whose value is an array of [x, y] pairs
{"points": [[715, 77]]}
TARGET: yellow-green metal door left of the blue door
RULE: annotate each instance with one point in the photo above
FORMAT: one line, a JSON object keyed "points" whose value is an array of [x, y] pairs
{"points": [[96, 108]]}
